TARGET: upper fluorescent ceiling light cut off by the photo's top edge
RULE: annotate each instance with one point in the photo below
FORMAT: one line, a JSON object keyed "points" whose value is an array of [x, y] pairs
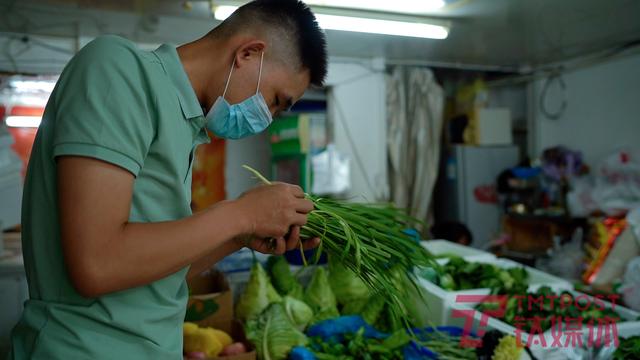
{"points": [[398, 6]]}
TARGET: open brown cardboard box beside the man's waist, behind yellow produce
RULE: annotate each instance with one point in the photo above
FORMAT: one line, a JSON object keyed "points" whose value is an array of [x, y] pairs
{"points": [[211, 305]]}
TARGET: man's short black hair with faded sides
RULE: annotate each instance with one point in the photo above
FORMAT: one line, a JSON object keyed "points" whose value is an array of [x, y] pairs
{"points": [[293, 23]]}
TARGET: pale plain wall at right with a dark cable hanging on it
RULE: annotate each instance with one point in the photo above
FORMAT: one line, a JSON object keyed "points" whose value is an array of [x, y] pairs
{"points": [[602, 114]]}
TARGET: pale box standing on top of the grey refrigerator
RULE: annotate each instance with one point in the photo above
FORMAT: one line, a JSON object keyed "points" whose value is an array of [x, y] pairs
{"points": [[494, 126]]}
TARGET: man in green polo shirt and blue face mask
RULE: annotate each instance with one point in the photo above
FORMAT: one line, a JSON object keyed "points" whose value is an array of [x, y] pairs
{"points": [[108, 235]]}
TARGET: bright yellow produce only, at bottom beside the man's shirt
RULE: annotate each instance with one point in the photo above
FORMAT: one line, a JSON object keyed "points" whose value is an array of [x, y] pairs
{"points": [[207, 340]]}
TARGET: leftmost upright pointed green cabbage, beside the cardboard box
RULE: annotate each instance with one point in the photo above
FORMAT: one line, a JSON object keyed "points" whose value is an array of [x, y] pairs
{"points": [[257, 295]]}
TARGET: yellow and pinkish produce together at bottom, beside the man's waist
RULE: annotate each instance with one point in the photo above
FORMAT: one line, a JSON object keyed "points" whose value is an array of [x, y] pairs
{"points": [[207, 342]]}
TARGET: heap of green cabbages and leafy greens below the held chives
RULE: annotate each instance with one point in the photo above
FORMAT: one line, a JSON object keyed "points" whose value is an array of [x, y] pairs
{"points": [[276, 311]]}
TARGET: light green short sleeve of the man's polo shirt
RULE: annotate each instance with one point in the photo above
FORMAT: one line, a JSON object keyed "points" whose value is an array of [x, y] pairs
{"points": [[102, 106]]}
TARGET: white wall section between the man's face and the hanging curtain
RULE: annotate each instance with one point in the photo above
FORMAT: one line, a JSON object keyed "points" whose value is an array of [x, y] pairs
{"points": [[357, 117]]}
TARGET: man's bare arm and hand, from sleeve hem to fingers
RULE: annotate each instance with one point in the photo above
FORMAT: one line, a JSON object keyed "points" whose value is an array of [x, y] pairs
{"points": [[105, 253]]}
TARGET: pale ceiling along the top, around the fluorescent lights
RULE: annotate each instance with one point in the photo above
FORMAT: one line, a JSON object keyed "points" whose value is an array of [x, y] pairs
{"points": [[503, 33]]}
